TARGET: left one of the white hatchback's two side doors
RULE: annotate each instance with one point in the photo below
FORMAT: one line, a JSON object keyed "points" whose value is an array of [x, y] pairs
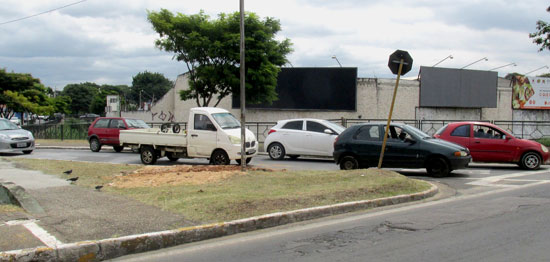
{"points": [[293, 137]]}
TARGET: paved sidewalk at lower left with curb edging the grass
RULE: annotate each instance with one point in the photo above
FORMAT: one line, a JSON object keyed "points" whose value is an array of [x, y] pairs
{"points": [[74, 223]]}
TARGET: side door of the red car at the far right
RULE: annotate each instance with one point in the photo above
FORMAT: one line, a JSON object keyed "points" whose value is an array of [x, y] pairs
{"points": [[490, 145]]}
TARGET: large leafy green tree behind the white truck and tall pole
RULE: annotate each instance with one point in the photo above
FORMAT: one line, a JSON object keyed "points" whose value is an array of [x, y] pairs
{"points": [[211, 51]]}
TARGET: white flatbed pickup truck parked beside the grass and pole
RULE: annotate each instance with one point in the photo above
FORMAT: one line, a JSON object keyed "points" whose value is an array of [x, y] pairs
{"points": [[211, 133]]}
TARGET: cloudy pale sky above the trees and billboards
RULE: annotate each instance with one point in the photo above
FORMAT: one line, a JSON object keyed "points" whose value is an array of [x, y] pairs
{"points": [[109, 42]]}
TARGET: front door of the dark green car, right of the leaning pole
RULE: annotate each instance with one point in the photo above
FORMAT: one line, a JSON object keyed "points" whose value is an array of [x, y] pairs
{"points": [[401, 149]]}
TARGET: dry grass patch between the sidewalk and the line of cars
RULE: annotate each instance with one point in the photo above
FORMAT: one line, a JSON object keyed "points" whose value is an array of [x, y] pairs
{"points": [[240, 195]]}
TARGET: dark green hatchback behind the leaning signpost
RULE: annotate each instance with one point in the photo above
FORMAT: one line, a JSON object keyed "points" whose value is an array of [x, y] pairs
{"points": [[359, 146]]}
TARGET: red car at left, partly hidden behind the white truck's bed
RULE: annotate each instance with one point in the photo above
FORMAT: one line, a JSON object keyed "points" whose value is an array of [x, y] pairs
{"points": [[105, 131]]}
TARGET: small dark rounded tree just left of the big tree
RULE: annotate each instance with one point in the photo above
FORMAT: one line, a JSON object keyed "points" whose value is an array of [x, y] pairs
{"points": [[149, 86]]}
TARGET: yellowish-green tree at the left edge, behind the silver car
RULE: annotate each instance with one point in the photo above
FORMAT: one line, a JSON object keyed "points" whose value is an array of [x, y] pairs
{"points": [[23, 93]]}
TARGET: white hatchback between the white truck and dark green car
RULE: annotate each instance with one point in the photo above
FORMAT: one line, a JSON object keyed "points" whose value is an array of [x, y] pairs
{"points": [[296, 137]]}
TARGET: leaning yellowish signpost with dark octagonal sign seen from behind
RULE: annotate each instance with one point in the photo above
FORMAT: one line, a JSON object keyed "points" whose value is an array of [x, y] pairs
{"points": [[400, 63]]}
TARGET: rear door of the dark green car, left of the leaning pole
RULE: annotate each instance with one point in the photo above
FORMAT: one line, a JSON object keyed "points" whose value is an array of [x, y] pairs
{"points": [[367, 143]]}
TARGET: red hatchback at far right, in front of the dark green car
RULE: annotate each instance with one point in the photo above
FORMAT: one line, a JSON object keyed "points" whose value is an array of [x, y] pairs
{"points": [[490, 143]]}
